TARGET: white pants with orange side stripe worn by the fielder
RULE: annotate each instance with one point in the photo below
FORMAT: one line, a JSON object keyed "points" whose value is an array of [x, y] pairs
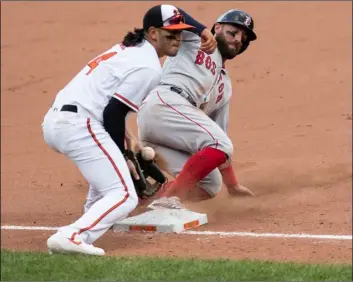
{"points": [[112, 195]]}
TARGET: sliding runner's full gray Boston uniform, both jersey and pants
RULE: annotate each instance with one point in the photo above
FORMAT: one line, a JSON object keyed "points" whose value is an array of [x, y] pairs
{"points": [[179, 124]]}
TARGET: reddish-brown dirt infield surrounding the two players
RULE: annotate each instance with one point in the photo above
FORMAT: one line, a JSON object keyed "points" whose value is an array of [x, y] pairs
{"points": [[291, 125]]}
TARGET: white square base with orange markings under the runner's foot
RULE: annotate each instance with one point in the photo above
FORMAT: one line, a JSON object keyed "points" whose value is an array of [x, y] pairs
{"points": [[162, 220]]}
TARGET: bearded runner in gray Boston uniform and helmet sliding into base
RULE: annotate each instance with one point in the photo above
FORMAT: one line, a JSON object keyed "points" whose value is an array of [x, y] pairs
{"points": [[185, 118]]}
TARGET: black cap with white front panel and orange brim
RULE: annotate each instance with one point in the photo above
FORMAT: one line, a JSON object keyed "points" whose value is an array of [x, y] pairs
{"points": [[166, 17]]}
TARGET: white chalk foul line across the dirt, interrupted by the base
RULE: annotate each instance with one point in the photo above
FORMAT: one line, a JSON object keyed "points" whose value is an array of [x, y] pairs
{"points": [[211, 233]]}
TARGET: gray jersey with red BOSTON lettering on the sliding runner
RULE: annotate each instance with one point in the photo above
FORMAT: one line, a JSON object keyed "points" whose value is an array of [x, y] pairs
{"points": [[202, 76]]}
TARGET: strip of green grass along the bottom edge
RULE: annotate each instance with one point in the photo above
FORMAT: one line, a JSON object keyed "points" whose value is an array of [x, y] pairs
{"points": [[41, 266]]}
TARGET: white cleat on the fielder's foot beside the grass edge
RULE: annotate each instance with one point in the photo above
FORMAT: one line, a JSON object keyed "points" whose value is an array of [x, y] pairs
{"points": [[59, 243]]}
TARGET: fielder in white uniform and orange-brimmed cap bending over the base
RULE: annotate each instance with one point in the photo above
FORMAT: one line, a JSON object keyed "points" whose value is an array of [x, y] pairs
{"points": [[87, 122]]}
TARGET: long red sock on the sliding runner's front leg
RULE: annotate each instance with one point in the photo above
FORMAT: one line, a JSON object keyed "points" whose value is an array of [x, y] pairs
{"points": [[199, 166]]}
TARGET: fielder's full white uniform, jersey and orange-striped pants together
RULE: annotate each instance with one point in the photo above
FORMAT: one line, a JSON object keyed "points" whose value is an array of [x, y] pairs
{"points": [[128, 74]]}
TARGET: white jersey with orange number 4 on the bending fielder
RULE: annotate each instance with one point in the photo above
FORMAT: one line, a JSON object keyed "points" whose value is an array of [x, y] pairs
{"points": [[126, 73]]}
